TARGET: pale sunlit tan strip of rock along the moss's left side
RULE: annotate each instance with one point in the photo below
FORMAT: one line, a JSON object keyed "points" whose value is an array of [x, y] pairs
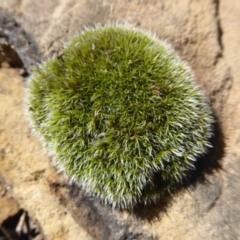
{"points": [[25, 168]]}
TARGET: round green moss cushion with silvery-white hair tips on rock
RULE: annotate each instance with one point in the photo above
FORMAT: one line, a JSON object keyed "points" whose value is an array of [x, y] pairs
{"points": [[121, 114]]}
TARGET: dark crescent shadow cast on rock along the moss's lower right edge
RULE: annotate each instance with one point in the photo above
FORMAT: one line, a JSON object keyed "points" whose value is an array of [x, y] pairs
{"points": [[205, 165]]}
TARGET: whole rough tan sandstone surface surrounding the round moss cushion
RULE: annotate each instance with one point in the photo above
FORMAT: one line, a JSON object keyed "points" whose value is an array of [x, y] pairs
{"points": [[206, 34]]}
